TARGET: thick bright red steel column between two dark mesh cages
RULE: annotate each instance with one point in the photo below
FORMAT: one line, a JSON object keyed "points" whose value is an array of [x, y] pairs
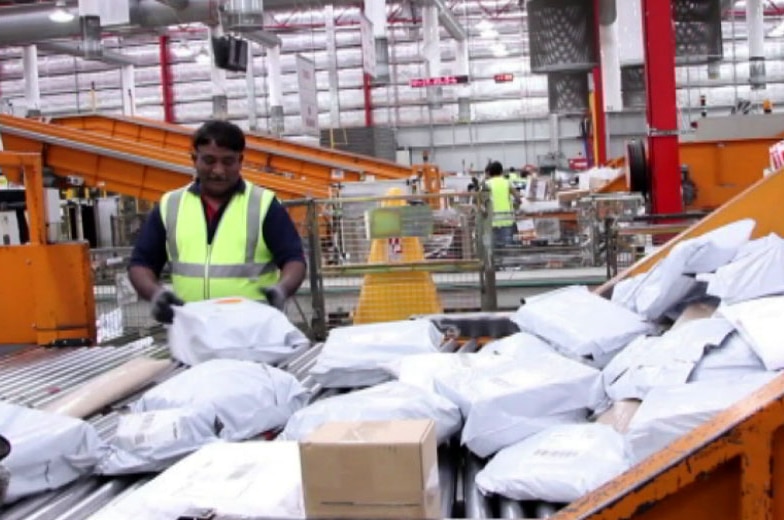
{"points": [[659, 42]]}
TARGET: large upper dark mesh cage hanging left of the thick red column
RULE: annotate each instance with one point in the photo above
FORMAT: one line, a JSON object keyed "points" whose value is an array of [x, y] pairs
{"points": [[561, 35]]}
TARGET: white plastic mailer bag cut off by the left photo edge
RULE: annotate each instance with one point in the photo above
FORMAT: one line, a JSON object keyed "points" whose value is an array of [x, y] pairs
{"points": [[47, 450]]}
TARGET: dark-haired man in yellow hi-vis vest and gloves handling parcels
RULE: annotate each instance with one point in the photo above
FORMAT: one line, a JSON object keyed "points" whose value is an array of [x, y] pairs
{"points": [[222, 235]]}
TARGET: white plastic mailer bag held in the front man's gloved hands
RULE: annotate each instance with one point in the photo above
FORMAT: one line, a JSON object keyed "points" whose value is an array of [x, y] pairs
{"points": [[232, 328]]}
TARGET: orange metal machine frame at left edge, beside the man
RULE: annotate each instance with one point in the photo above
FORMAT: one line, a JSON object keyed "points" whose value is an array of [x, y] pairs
{"points": [[47, 288]]}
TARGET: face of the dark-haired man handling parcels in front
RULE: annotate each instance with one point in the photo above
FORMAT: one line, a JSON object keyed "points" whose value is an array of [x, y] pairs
{"points": [[217, 168]]}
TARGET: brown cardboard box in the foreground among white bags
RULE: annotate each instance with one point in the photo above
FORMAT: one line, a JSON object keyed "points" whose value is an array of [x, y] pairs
{"points": [[373, 469]]}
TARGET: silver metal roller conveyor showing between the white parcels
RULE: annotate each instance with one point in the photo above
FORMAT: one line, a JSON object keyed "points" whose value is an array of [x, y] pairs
{"points": [[38, 375]]}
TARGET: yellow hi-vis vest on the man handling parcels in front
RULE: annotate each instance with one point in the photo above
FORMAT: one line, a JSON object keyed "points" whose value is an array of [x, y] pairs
{"points": [[238, 263]]}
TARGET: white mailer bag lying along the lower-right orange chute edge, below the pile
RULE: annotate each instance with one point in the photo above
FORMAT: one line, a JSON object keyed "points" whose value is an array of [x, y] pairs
{"points": [[670, 412]]}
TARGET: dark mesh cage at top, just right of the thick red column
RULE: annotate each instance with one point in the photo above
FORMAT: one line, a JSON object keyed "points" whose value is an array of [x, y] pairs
{"points": [[697, 31]]}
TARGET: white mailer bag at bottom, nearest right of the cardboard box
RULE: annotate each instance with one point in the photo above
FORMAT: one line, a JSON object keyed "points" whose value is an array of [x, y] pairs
{"points": [[559, 464]]}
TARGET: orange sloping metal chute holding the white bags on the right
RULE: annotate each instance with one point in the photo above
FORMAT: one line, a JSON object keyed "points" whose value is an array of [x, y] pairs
{"points": [[731, 467]]}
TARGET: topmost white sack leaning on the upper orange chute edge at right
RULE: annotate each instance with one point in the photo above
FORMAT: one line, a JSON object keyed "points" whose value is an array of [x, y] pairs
{"points": [[666, 284]]}
